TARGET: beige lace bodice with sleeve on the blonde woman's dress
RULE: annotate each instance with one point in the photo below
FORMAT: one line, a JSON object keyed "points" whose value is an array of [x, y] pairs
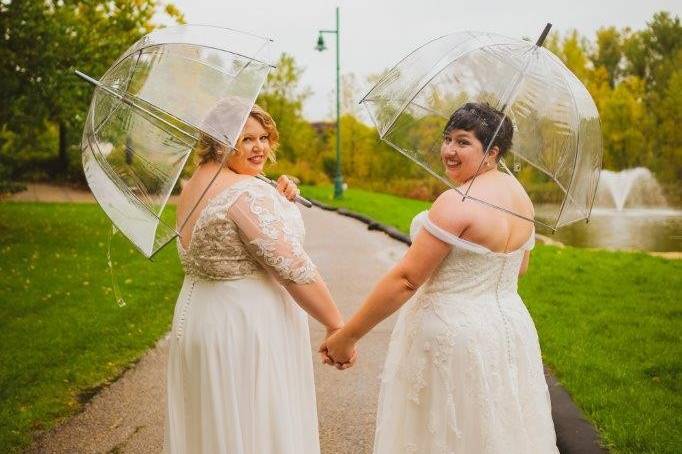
{"points": [[246, 228]]}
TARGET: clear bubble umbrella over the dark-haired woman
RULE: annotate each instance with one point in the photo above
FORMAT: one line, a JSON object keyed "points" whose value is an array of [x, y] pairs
{"points": [[556, 152]]}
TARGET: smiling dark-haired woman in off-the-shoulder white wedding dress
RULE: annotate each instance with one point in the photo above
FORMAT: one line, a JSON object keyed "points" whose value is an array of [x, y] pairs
{"points": [[463, 372]]}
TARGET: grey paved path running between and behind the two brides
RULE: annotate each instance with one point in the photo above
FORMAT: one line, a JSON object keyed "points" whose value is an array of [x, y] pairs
{"points": [[127, 417]]}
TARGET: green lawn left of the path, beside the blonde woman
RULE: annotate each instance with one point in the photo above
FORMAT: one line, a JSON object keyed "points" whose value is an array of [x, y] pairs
{"points": [[62, 334]]}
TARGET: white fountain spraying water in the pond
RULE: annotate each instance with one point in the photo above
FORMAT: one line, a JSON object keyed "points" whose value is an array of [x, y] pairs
{"points": [[629, 188]]}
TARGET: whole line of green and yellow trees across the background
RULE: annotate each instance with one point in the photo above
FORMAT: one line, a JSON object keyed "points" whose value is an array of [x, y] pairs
{"points": [[634, 76]]}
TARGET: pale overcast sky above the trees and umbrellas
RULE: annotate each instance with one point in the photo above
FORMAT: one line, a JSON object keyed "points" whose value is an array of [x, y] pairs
{"points": [[375, 34]]}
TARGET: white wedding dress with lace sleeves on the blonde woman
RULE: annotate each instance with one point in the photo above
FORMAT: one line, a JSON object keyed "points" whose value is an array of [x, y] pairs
{"points": [[240, 376]]}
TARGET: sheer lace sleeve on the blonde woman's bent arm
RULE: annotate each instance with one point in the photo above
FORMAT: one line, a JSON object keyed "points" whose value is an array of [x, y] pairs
{"points": [[270, 239]]}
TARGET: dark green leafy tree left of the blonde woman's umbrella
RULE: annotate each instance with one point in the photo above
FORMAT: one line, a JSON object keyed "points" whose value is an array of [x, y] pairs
{"points": [[44, 42]]}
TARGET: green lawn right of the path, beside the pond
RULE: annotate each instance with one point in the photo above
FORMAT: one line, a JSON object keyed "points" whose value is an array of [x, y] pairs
{"points": [[610, 326]]}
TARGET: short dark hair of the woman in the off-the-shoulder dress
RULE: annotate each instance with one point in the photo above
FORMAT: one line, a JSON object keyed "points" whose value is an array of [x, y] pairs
{"points": [[482, 119]]}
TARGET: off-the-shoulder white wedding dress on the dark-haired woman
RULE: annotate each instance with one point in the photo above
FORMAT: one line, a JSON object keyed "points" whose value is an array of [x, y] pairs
{"points": [[464, 373]]}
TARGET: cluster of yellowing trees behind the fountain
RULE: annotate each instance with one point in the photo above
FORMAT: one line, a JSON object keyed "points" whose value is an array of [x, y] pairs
{"points": [[633, 77]]}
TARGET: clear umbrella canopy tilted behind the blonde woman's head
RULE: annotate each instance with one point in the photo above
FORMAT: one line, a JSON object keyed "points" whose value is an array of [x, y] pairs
{"points": [[173, 88]]}
